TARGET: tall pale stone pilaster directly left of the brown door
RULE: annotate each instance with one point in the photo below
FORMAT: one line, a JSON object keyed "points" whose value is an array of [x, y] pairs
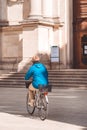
{"points": [[69, 31]]}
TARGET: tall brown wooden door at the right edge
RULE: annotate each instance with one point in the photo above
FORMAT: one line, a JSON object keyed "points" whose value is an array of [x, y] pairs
{"points": [[80, 33]]}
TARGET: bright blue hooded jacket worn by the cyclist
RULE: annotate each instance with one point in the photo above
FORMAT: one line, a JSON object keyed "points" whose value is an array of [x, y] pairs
{"points": [[39, 74]]}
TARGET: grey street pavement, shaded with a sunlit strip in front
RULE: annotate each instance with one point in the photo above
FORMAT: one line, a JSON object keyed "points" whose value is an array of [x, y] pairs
{"points": [[67, 110]]}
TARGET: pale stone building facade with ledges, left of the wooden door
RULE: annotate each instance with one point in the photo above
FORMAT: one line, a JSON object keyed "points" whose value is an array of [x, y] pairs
{"points": [[28, 27]]}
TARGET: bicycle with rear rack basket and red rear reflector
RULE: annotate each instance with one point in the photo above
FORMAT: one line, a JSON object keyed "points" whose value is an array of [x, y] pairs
{"points": [[41, 102]]}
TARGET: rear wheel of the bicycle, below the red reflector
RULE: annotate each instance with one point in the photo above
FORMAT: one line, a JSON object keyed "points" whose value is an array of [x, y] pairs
{"points": [[43, 110]]}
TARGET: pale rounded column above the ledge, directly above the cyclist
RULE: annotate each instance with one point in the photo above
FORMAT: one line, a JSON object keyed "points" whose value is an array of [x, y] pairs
{"points": [[35, 8]]}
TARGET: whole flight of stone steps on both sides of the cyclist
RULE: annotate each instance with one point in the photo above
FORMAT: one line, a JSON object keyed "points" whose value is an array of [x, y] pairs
{"points": [[58, 78]]}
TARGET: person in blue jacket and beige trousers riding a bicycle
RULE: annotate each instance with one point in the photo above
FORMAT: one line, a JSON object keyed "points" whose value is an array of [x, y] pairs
{"points": [[39, 75]]}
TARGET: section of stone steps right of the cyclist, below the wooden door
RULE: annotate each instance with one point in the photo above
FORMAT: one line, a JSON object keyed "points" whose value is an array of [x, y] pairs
{"points": [[68, 78]]}
